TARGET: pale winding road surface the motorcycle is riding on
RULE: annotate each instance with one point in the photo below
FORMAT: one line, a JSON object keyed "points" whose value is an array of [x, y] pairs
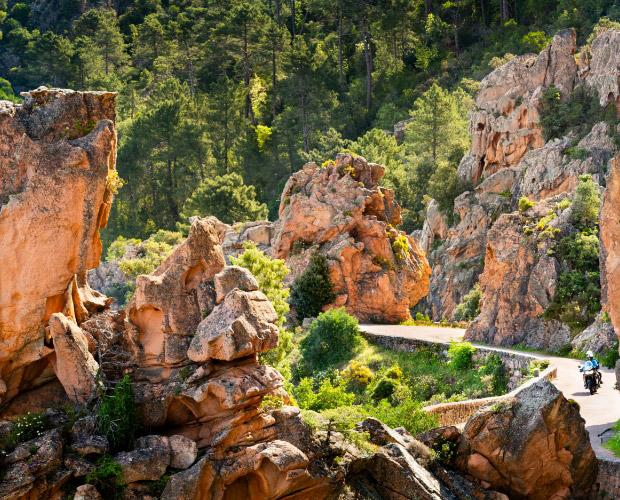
{"points": [[600, 411]]}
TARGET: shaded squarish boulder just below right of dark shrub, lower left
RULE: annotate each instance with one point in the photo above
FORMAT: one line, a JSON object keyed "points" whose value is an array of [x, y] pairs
{"points": [[147, 462]]}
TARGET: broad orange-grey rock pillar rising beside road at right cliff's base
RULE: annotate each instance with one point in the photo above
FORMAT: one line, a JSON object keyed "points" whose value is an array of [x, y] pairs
{"points": [[519, 282]]}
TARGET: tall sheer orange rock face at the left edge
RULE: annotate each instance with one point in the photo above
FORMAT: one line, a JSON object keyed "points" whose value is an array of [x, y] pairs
{"points": [[58, 156]]}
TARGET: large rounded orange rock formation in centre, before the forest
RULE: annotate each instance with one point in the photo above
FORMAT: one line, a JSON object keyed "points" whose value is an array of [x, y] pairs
{"points": [[341, 211]]}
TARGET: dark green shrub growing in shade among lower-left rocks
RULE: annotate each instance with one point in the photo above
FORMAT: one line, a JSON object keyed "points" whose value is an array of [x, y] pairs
{"points": [[116, 415]]}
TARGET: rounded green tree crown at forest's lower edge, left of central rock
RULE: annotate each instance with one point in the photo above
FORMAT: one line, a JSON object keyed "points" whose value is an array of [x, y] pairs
{"points": [[227, 198]]}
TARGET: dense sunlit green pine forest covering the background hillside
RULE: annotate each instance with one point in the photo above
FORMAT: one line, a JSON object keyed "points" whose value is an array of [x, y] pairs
{"points": [[221, 100]]}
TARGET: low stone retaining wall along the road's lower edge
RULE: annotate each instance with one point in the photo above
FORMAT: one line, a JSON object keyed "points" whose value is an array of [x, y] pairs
{"points": [[460, 411]]}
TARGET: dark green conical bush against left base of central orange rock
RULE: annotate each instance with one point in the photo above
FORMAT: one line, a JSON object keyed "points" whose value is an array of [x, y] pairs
{"points": [[313, 289]]}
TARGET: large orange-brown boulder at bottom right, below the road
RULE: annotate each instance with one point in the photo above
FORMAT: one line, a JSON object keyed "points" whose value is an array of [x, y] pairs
{"points": [[535, 446]]}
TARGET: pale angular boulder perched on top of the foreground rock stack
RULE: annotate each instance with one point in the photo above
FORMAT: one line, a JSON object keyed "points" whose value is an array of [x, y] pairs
{"points": [[243, 324]]}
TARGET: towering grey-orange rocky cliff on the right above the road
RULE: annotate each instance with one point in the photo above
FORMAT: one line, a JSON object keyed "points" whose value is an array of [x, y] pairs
{"points": [[509, 159]]}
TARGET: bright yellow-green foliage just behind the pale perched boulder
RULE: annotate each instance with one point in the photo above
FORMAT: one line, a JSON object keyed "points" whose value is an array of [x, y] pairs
{"points": [[270, 274]]}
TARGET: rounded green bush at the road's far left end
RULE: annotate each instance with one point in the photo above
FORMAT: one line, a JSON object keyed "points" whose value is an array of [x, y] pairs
{"points": [[334, 338]]}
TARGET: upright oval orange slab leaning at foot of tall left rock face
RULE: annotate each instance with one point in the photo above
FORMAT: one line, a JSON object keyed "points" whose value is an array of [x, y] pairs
{"points": [[73, 364]]}
